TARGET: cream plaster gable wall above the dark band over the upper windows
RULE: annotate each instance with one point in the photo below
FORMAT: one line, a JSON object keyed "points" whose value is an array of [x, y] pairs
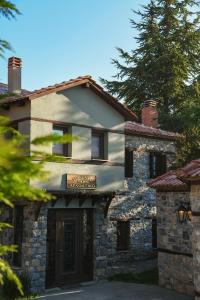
{"points": [[77, 105]]}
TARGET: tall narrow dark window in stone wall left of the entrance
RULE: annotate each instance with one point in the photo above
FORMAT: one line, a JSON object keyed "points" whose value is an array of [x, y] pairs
{"points": [[18, 234]]}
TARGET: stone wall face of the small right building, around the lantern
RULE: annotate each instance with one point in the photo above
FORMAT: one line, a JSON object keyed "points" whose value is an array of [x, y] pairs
{"points": [[174, 243]]}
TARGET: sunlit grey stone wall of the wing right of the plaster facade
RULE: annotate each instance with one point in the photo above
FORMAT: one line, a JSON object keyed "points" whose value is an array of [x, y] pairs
{"points": [[138, 203]]}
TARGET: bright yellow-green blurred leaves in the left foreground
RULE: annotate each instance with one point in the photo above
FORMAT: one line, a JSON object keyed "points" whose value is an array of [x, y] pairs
{"points": [[17, 169]]}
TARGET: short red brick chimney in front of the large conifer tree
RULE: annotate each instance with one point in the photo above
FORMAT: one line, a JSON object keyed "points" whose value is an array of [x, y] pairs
{"points": [[150, 114]]}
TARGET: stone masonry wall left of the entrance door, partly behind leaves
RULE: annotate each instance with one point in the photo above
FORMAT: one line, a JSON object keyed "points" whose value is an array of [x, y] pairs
{"points": [[33, 244]]}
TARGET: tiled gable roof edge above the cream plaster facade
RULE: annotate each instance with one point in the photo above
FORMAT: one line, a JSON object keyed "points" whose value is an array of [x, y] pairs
{"points": [[83, 80]]}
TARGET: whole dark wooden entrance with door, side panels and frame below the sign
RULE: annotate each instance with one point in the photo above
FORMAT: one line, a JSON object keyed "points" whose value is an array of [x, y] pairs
{"points": [[69, 246]]}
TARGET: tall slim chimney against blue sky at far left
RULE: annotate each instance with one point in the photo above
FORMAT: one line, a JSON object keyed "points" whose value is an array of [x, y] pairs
{"points": [[14, 75]]}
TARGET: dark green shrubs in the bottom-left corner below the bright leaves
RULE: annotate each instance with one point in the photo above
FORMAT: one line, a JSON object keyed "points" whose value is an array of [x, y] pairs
{"points": [[10, 291]]}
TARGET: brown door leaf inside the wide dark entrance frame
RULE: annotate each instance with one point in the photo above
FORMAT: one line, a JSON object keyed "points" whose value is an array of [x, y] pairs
{"points": [[68, 247]]}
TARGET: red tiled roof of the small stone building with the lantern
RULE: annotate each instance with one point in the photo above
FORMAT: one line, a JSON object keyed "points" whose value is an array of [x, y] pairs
{"points": [[179, 178]]}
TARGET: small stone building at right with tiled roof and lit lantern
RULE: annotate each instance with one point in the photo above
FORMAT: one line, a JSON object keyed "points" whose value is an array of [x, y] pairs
{"points": [[178, 216]]}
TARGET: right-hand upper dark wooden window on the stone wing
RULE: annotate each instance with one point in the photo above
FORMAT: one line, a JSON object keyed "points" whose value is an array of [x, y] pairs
{"points": [[158, 164]]}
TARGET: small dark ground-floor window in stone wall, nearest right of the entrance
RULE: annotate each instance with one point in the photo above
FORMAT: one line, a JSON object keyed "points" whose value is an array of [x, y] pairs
{"points": [[123, 235]]}
